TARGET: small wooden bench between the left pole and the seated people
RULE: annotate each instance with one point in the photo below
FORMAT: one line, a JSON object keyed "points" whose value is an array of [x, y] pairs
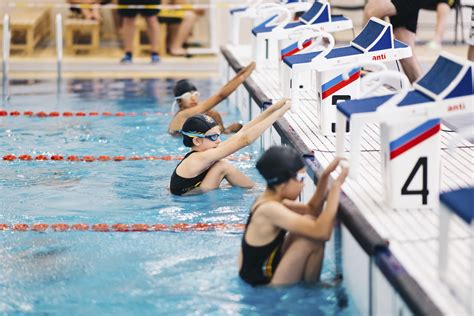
{"points": [[81, 35]]}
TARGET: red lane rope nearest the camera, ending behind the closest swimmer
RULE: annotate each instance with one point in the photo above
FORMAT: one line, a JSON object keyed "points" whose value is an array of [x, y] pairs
{"points": [[120, 227]]}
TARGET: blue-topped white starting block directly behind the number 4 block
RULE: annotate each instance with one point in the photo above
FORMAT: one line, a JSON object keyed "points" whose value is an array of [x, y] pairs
{"points": [[374, 43]]}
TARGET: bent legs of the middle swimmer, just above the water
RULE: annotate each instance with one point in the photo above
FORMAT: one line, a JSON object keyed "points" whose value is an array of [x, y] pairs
{"points": [[224, 170]]}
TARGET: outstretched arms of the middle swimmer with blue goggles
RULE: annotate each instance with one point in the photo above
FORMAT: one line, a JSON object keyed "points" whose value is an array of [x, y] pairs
{"points": [[246, 137]]}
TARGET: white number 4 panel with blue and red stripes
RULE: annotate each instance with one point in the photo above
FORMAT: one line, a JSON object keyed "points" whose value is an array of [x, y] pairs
{"points": [[411, 158]]}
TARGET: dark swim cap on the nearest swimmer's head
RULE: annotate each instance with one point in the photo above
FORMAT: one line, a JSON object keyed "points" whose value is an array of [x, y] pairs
{"points": [[279, 164]]}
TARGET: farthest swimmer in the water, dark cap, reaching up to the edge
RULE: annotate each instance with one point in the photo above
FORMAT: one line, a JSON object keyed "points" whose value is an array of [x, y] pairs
{"points": [[187, 98]]}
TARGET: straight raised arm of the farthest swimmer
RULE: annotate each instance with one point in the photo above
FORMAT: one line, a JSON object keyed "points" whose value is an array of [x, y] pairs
{"points": [[226, 90]]}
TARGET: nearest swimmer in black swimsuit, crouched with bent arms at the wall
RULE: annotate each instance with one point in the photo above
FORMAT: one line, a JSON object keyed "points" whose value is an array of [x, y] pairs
{"points": [[283, 242]]}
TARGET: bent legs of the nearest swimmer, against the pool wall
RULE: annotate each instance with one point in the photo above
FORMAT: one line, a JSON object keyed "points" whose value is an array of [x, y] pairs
{"points": [[302, 261]]}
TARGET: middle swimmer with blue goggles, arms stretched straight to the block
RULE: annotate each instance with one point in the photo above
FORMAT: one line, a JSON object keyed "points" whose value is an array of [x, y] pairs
{"points": [[205, 167]]}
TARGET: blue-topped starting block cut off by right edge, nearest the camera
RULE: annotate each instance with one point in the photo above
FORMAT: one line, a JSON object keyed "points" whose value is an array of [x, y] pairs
{"points": [[461, 203]]}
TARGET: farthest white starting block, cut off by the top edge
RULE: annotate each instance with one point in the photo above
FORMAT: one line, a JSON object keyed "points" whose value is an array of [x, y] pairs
{"points": [[251, 12]]}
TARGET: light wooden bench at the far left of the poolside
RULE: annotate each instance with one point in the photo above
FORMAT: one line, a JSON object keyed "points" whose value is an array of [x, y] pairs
{"points": [[28, 28]]}
